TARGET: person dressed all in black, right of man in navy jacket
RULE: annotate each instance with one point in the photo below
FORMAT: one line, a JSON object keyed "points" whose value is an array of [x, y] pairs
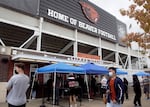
{"points": [[137, 91]]}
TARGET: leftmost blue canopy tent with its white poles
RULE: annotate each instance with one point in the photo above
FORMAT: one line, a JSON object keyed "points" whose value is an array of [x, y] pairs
{"points": [[58, 68]]}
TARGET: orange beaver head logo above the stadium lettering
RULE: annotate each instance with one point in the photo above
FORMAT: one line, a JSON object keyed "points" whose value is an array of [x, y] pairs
{"points": [[91, 14]]}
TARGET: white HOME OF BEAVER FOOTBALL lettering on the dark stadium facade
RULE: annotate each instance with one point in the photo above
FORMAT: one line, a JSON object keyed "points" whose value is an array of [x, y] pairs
{"points": [[59, 16]]}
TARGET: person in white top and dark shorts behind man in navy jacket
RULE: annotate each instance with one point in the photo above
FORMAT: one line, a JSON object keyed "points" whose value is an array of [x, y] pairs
{"points": [[104, 88]]}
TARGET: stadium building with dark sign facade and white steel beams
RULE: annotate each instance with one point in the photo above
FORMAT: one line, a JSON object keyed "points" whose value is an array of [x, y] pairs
{"points": [[40, 32]]}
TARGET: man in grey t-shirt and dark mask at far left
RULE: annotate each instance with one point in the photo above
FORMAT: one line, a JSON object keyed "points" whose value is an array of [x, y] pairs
{"points": [[17, 87]]}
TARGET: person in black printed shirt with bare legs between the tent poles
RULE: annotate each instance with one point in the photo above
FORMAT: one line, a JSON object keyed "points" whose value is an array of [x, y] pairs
{"points": [[72, 85]]}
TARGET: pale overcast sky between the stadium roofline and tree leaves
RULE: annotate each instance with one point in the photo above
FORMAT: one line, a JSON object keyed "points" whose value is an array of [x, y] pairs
{"points": [[113, 7]]}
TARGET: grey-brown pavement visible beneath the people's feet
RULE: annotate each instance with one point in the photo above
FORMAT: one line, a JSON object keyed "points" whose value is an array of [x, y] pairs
{"points": [[86, 103]]}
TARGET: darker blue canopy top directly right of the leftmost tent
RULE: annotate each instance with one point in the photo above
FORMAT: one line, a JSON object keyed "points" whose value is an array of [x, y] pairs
{"points": [[91, 68]]}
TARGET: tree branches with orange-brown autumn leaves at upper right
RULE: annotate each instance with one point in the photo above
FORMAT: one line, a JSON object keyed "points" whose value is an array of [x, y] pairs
{"points": [[139, 10]]}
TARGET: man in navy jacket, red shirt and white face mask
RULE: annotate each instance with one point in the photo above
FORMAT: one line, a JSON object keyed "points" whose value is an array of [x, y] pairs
{"points": [[115, 90]]}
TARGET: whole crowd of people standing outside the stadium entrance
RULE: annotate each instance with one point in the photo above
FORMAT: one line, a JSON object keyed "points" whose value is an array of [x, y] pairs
{"points": [[113, 88]]}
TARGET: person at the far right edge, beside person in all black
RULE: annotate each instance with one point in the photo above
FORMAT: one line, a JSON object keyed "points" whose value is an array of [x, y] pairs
{"points": [[146, 87]]}
